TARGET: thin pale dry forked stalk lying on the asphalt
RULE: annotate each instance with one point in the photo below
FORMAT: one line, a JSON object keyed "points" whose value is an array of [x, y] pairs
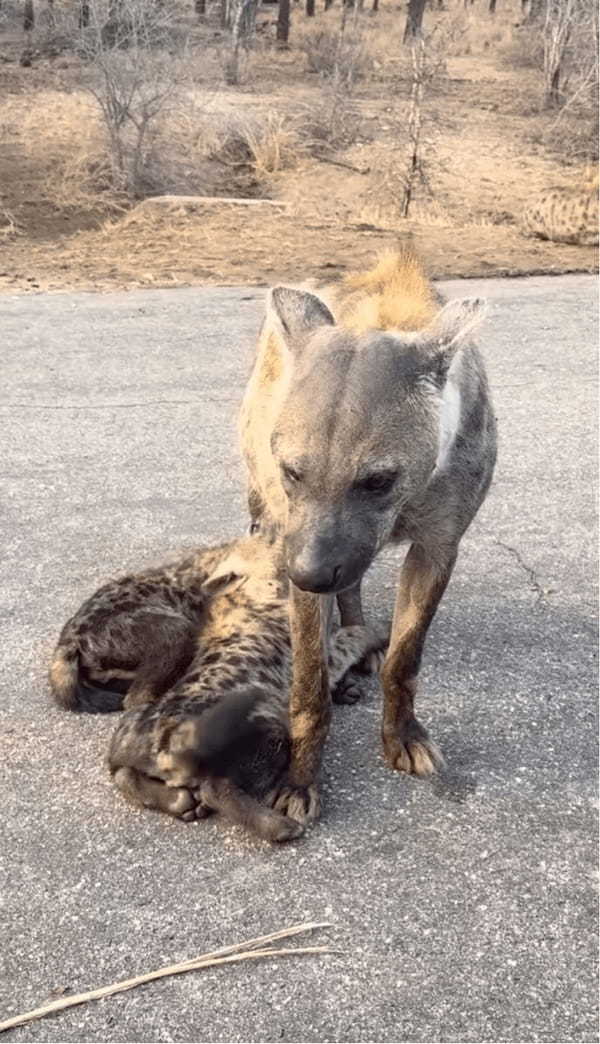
{"points": [[228, 955]]}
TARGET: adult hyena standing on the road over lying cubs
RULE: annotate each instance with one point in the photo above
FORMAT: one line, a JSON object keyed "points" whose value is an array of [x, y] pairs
{"points": [[367, 420]]}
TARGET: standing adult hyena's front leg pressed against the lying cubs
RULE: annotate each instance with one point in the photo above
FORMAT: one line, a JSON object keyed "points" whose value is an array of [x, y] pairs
{"points": [[309, 704]]}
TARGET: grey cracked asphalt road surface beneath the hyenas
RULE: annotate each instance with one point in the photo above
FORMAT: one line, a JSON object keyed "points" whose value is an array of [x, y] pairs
{"points": [[465, 909]]}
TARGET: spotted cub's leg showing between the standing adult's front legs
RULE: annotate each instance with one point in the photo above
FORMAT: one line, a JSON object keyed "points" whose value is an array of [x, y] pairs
{"points": [[355, 649]]}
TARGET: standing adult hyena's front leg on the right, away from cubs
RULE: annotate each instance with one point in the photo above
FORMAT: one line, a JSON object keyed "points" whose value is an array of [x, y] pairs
{"points": [[423, 582]]}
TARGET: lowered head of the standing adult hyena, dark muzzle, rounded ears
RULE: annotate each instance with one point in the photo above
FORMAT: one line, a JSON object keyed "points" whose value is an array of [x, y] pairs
{"points": [[361, 433]]}
